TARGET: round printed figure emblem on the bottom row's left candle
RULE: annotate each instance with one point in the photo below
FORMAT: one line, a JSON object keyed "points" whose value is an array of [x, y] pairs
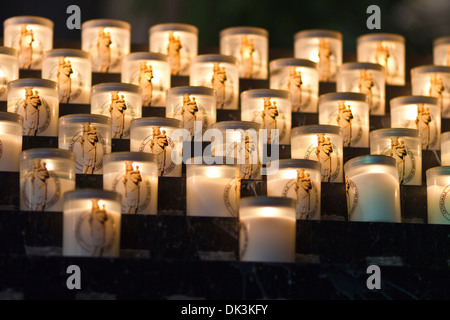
{"points": [[95, 230]]}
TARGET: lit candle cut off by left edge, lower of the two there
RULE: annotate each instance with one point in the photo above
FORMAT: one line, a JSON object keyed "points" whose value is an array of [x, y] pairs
{"points": [[10, 141]]}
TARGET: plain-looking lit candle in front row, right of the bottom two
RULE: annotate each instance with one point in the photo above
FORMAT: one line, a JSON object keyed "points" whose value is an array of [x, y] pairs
{"points": [[267, 229]]}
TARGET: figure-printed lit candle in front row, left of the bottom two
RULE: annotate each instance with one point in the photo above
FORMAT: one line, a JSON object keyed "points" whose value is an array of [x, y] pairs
{"points": [[91, 223]]}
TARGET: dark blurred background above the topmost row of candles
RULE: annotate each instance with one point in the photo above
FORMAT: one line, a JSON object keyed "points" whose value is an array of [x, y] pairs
{"points": [[420, 21]]}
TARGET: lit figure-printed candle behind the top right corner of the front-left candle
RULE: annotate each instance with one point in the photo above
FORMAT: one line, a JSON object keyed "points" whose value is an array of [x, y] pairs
{"points": [[135, 176]]}
